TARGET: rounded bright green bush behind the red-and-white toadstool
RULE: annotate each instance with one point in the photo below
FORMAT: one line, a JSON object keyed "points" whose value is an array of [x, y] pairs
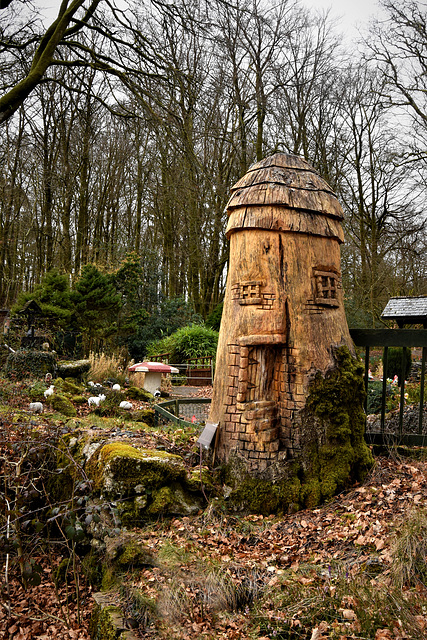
{"points": [[188, 342]]}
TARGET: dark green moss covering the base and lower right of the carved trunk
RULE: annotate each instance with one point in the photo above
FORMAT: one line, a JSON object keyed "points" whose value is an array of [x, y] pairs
{"points": [[333, 454]]}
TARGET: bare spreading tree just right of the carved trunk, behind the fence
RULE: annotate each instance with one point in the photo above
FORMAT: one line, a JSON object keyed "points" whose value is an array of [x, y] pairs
{"points": [[380, 194]]}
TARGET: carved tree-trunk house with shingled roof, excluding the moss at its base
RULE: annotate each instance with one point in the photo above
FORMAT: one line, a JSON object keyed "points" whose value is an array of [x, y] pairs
{"points": [[283, 309]]}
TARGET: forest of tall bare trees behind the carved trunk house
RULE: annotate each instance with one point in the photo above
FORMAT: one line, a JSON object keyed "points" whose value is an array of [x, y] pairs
{"points": [[124, 125]]}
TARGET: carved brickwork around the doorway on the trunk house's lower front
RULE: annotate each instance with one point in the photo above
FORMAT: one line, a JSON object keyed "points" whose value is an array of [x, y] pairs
{"points": [[264, 389]]}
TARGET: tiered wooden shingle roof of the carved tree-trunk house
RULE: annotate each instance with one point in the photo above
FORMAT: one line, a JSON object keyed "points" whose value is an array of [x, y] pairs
{"points": [[284, 193]]}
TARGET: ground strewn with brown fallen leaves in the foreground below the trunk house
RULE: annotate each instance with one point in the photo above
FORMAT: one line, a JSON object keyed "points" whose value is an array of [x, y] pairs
{"points": [[324, 573]]}
